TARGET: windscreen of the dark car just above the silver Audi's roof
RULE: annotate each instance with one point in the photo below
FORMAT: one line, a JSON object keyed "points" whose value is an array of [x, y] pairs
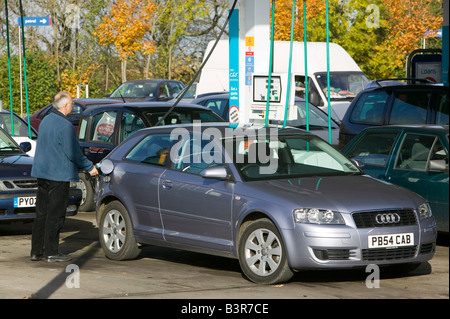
{"points": [[181, 116]]}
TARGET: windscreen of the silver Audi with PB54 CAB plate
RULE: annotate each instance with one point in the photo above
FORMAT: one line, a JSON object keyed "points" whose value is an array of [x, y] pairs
{"points": [[280, 157]]}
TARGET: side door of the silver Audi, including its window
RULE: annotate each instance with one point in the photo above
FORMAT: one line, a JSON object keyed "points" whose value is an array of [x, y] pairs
{"points": [[196, 211]]}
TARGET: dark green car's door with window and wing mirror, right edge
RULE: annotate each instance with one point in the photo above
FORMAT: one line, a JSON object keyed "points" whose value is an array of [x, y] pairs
{"points": [[415, 169]]}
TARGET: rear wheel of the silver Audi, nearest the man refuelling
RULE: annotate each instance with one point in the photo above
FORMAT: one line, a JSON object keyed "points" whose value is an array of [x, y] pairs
{"points": [[116, 233]]}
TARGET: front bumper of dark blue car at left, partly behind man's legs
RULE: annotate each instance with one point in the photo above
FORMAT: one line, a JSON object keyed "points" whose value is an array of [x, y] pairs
{"points": [[10, 213]]}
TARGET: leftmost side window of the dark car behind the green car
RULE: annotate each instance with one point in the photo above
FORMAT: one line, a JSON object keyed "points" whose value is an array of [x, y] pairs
{"points": [[369, 108]]}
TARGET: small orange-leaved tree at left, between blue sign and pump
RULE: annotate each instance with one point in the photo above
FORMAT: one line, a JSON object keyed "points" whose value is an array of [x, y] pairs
{"points": [[125, 28]]}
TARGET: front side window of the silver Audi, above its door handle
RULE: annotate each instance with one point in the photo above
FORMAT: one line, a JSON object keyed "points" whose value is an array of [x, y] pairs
{"points": [[194, 154]]}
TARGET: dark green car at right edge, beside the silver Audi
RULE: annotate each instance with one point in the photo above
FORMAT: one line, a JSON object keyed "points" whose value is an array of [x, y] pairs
{"points": [[414, 157]]}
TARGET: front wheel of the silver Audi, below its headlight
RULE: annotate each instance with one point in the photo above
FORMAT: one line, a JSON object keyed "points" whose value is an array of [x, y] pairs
{"points": [[262, 254]]}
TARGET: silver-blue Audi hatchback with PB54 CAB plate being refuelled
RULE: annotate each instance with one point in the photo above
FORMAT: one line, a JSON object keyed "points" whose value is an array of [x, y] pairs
{"points": [[277, 199]]}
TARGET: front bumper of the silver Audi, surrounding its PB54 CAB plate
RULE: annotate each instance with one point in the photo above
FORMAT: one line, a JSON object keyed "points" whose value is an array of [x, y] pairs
{"points": [[334, 247]]}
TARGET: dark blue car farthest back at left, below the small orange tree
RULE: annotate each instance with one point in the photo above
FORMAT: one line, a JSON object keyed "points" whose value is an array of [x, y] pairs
{"points": [[147, 90]]}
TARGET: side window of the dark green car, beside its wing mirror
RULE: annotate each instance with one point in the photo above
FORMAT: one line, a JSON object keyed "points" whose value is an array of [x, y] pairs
{"points": [[416, 150]]}
